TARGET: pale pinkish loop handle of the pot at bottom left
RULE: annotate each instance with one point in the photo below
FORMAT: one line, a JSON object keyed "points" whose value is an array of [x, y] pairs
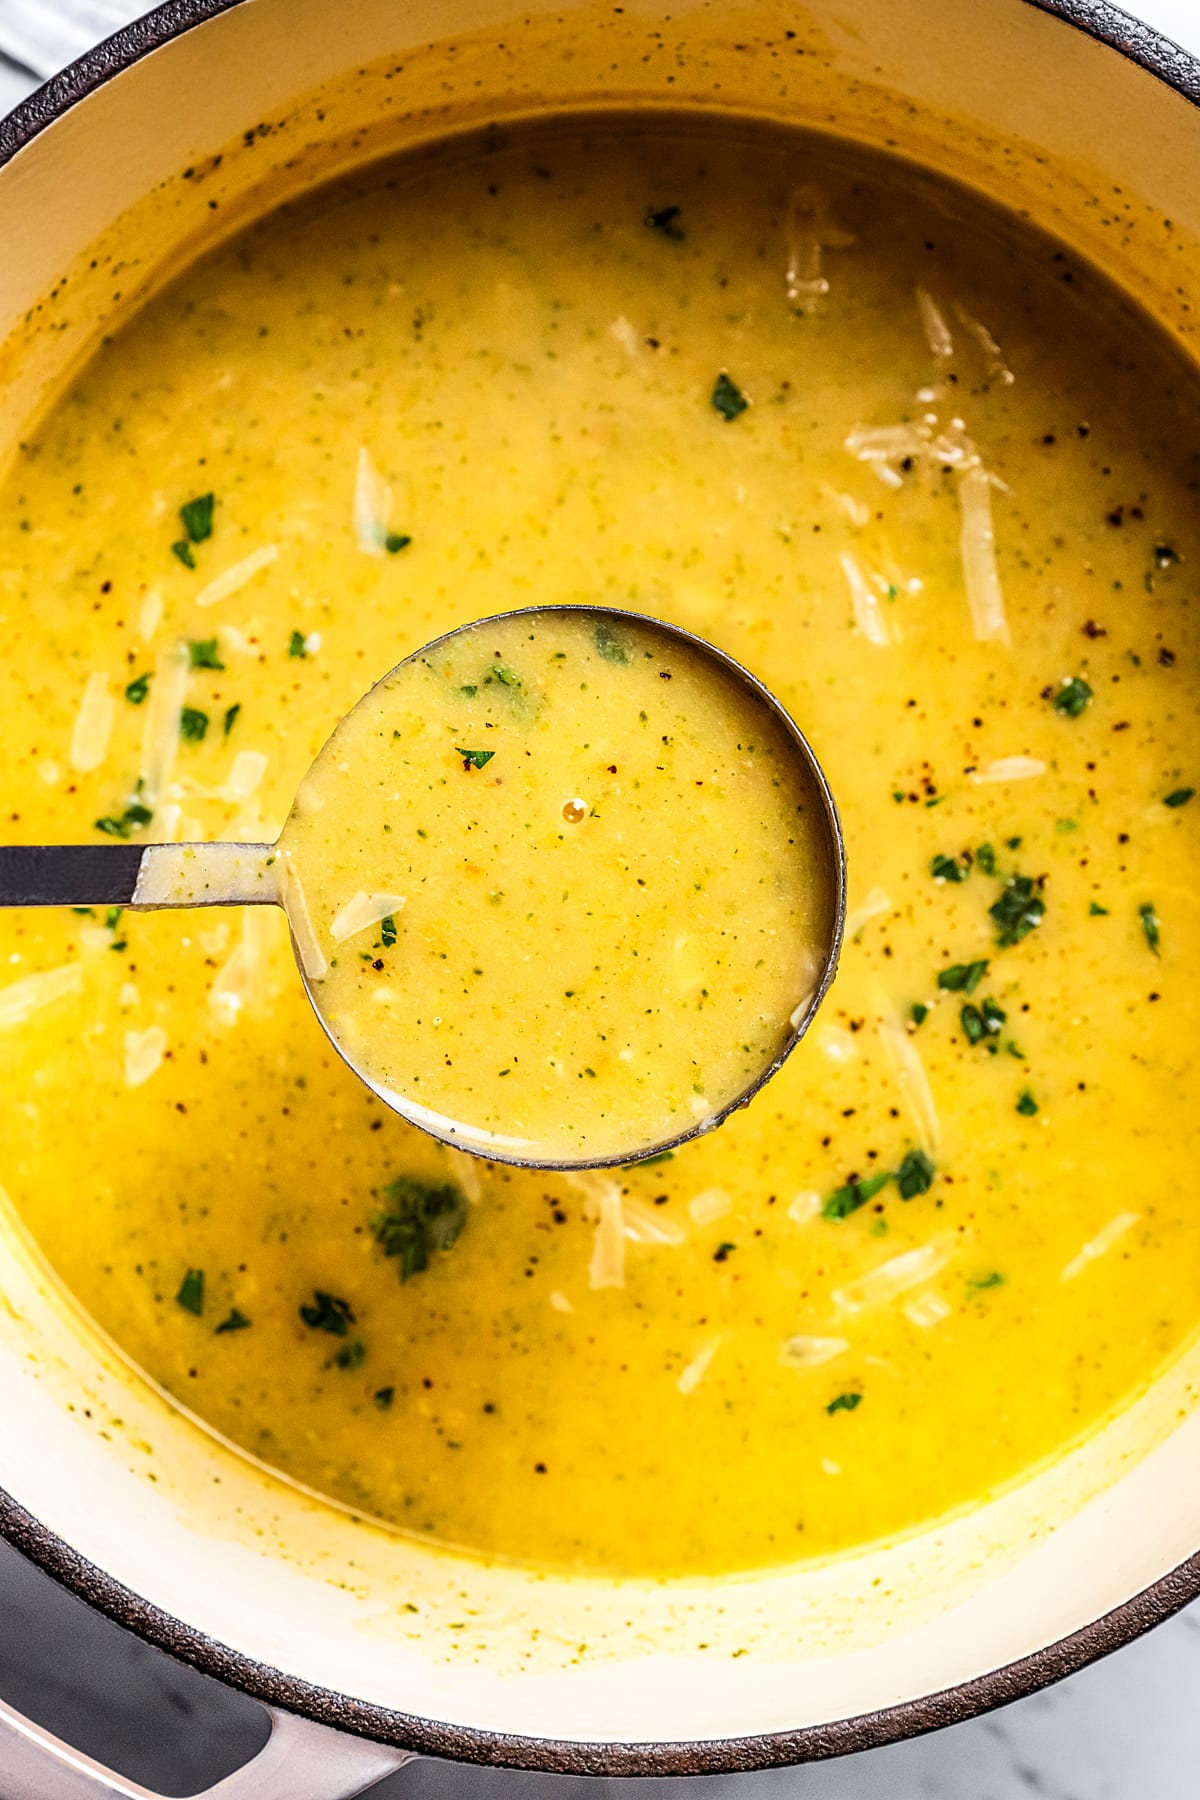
{"points": [[300, 1761]]}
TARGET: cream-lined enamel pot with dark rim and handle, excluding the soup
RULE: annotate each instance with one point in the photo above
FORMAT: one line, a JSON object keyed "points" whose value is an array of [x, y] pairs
{"points": [[370, 1648]]}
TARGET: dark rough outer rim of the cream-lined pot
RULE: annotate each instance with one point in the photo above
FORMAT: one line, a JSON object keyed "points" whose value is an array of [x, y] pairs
{"points": [[1178, 69]]}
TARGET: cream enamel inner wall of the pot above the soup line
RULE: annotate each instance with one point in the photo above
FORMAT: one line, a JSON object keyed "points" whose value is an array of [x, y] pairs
{"points": [[231, 1551]]}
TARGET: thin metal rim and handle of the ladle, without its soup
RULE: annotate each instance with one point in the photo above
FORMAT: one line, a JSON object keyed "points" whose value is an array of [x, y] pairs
{"points": [[150, 877]]}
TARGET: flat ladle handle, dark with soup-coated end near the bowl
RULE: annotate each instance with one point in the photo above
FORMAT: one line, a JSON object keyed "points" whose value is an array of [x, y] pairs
{"points": [[139, 876]]}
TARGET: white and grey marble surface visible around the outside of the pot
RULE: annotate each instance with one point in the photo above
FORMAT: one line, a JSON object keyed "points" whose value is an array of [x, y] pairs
{"points": [[1125, 1731]]}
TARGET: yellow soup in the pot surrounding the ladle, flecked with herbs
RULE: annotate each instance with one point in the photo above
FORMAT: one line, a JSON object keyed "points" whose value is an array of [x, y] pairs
{"points": [[936, 485]]}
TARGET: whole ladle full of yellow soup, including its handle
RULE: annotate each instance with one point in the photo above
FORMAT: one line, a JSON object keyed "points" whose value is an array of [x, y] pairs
{"points": [[566, 888]]}
